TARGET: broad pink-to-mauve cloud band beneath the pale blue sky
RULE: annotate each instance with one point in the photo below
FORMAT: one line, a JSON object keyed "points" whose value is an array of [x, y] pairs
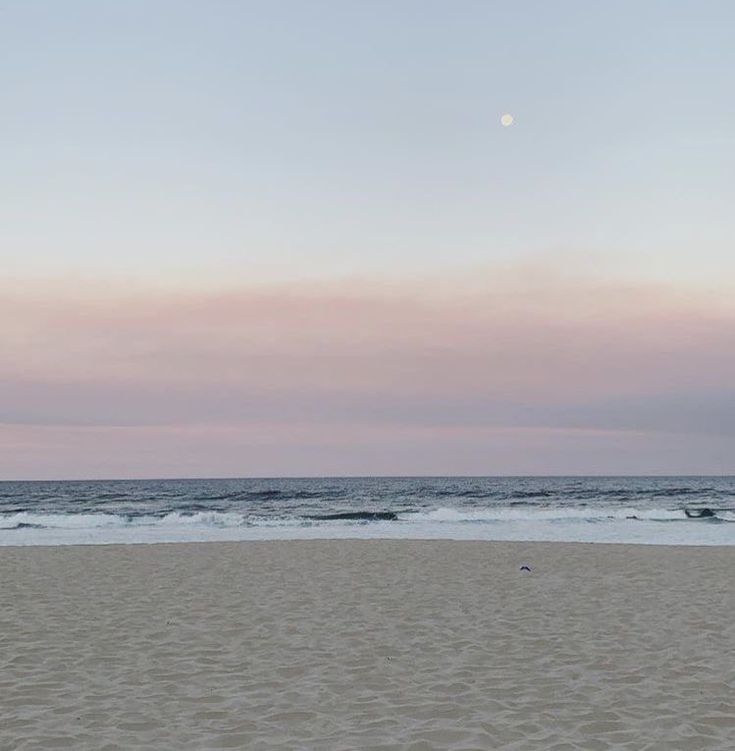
{"points": [[509, 349]]}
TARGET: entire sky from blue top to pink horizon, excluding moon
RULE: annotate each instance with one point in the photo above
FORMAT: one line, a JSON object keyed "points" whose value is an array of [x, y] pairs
{"points": [[260, 239]]}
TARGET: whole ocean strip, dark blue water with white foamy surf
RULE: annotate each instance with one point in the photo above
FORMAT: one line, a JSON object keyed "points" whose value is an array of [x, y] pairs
{"points": [[645, 510]]}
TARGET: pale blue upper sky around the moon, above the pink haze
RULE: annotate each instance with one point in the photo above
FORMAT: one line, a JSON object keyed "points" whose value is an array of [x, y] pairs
{"points": [[328, 138]]}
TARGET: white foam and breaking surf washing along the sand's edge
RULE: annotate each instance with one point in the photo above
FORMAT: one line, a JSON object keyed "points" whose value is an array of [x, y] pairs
{"points": [[564, 524]]}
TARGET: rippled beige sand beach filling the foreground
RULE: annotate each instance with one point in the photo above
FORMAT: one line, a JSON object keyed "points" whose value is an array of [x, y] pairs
{"points": [[367, 645]]}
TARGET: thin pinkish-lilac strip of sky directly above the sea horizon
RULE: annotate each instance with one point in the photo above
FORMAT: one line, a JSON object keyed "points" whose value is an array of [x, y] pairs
{"points": [[312, 450]]}
